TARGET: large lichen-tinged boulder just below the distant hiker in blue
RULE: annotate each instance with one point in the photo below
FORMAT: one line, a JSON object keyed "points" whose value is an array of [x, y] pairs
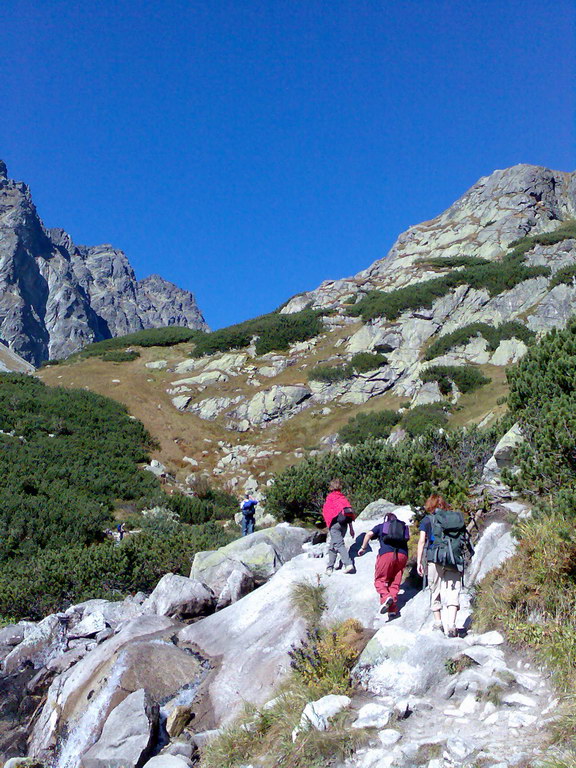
{"points": [[259, 554]]}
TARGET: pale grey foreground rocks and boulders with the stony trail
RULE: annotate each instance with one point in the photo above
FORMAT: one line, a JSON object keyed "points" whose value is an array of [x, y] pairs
{"points": [[130, 684]]}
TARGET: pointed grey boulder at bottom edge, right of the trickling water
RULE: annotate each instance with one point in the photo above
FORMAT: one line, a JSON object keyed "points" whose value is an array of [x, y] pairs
{"points": [[127, 736]]}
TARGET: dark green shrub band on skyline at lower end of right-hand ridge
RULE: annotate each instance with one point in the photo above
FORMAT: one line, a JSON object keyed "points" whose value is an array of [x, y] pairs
{"points": [[276, 332]]}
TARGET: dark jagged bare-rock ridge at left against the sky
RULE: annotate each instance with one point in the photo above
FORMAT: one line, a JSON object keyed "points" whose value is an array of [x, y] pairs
{"points": [[56, 296]]}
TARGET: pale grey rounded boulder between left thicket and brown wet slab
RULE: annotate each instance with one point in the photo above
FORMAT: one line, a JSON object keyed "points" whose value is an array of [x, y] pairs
{"points": [[179, 597]]}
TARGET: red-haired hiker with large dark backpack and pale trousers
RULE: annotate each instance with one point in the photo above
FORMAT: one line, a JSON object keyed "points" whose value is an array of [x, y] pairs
{"points": [[443, 537]]}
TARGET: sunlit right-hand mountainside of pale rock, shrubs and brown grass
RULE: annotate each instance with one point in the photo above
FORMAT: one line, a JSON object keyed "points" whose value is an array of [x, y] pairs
{"points": [[242, 416]]}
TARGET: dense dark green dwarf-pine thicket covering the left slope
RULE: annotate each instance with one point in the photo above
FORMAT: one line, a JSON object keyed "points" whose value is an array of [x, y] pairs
{"points": [[67, 457]]}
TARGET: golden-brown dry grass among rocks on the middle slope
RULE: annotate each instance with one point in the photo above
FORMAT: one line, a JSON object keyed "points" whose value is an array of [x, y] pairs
{"points": [[143, 391]]}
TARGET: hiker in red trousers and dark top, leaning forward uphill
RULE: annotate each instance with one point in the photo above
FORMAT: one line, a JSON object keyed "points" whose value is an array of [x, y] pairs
{"points": [[393, 535]]}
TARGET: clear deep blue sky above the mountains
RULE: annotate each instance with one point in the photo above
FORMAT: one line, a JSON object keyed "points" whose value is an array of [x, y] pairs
{"points": [[249, 149]]}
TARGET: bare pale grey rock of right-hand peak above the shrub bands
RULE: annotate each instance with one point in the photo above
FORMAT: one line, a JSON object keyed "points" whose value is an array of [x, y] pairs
{"points": [[498, 209]]}
